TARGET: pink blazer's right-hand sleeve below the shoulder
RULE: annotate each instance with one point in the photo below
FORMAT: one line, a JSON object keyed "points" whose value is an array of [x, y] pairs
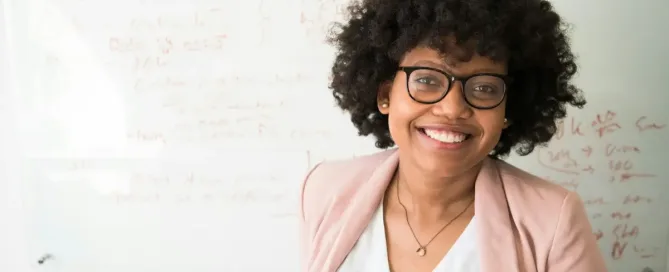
{"points": [[574, 247]]}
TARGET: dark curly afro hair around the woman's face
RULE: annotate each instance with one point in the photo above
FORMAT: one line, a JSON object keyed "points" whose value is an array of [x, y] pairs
{"points": [[528, 34]]}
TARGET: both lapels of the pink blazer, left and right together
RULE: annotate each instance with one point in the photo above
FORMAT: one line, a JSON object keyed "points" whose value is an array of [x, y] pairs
{"points": [[495, 234]]}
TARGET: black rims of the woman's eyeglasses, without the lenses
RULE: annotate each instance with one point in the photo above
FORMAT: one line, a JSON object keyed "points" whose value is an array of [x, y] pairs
{"points": [[452, 79]]}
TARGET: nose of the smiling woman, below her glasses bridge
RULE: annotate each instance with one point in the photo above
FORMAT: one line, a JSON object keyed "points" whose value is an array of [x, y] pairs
{"points": [[453, 106]]}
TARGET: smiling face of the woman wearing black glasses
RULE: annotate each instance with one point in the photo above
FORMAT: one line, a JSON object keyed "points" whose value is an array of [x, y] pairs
{"points": [[449, 137]]}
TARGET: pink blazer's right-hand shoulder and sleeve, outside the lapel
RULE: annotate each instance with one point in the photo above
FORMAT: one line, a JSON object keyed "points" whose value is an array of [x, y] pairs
{"points": [[553, 218]]}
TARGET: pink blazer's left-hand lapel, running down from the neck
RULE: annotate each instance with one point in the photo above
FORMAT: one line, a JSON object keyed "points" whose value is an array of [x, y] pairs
{"points": [[360, 211]]}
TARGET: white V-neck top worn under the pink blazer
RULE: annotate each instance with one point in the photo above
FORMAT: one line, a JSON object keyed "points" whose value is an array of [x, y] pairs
{"points": [[371, 255]]}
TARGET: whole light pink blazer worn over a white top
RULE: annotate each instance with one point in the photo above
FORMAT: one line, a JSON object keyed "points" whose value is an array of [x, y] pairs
{"points": [[523, 222]]}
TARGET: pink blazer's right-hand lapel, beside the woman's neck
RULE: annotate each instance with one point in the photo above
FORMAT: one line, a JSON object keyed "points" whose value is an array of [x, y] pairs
{"points": [[496, 239]]}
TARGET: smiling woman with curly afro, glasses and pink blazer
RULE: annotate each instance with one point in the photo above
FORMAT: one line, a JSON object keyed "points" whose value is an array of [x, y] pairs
{"points": [[455, 85]]}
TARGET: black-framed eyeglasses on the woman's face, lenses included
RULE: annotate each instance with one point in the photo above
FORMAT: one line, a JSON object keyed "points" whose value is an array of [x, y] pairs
{"points": [[429, 85]]}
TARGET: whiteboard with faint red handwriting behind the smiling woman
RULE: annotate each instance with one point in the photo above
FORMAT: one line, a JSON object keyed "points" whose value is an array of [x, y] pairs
{"points": [[173, 135]]}
